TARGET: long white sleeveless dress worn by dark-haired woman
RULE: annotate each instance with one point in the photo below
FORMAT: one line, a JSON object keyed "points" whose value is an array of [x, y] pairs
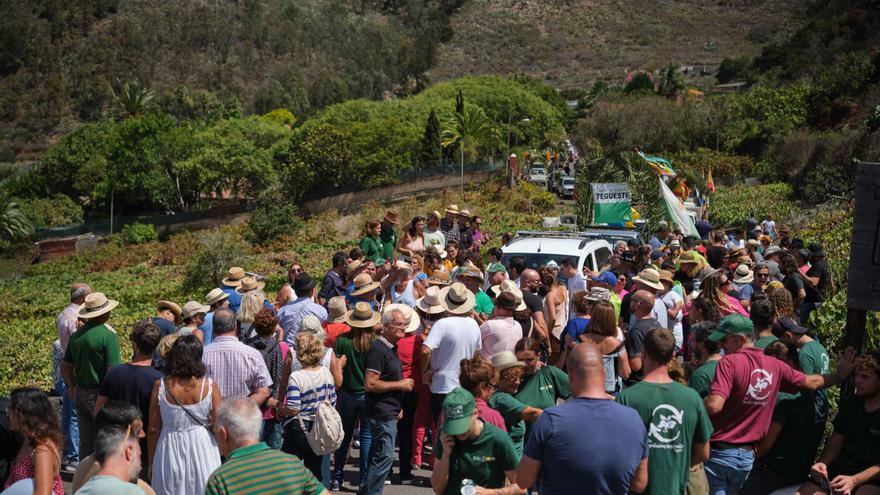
{"points": [[186, 453]]}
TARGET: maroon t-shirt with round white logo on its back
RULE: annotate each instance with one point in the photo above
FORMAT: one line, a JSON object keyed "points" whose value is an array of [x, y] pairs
{"points": [[749, 381]]}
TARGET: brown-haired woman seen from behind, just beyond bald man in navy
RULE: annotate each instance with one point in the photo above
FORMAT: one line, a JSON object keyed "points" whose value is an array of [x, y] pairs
{"points": [[603, 333]]}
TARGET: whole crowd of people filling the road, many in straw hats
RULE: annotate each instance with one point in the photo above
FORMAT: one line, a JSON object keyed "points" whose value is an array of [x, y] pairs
{"points": [[684, 366]]}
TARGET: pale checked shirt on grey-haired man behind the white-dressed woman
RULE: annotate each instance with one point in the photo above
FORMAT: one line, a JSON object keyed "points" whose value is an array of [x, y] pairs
{"points": [[237, 369]]}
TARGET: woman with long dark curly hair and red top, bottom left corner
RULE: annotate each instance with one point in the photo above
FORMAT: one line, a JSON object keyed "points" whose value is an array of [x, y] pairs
{"points": [[38, 462]]}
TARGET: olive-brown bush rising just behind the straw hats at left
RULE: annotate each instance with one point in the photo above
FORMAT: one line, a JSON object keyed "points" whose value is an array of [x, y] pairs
{"points": [[217, 251]]}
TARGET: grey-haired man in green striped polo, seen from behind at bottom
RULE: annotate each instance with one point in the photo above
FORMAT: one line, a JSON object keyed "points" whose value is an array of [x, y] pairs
{"points": [[251, 467]]}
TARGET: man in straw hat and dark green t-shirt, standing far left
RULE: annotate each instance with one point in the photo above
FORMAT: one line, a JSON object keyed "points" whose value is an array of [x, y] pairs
{"points": [[90, 352]]}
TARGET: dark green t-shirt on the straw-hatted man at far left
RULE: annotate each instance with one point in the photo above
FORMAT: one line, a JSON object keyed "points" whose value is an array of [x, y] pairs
{"points": [[93, 349]]}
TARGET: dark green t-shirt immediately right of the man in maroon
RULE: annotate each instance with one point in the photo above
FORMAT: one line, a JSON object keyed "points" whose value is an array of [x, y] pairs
{"points": [[795, 449]]}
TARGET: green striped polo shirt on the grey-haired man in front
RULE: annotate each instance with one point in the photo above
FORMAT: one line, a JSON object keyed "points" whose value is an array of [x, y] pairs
{"points": [[257, 469]]}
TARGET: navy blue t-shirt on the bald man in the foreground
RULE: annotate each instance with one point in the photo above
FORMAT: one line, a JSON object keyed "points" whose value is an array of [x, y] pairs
{"points": [[591, 443]]}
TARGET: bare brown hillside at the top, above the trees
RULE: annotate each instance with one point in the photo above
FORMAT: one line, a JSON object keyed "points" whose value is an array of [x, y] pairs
{"points": [[570, 43]]}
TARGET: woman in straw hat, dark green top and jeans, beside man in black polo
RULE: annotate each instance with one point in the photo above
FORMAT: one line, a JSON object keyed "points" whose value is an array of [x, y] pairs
{"points": [[352, 347]]}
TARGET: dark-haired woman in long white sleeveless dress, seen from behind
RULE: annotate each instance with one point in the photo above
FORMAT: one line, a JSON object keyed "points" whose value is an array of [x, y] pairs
{"points": [[182, 449]]}
